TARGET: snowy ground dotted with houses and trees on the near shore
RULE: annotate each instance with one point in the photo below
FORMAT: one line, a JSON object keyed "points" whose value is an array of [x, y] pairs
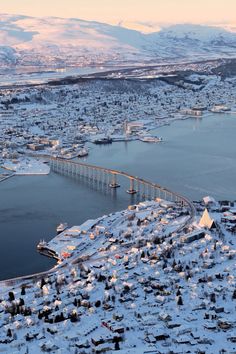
{"points": [[144, 288]]}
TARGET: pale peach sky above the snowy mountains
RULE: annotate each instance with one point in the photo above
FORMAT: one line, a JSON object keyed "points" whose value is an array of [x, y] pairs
{"points": [[113, 11]]}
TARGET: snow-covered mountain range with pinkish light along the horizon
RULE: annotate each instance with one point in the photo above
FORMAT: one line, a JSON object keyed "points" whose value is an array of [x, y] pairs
{"points": [[59, 41]]}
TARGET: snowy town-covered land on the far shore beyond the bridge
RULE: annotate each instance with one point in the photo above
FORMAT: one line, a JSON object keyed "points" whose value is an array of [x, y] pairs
{"points": [[55, 120]]}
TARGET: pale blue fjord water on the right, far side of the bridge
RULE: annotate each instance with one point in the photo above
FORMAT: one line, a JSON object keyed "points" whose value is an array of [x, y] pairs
{"points": [[196, 158]]}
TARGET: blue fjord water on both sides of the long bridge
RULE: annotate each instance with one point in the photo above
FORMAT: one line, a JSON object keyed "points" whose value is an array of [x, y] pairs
{"points": [[197, 158]]}
